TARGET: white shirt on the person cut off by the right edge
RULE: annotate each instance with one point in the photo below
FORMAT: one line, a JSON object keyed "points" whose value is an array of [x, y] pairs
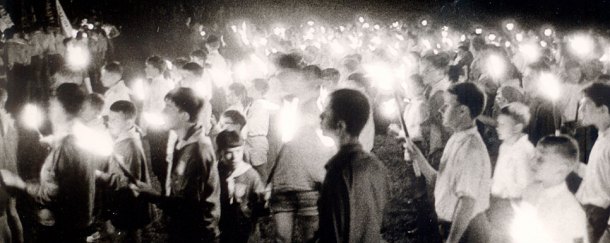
{"points": [[595, 187]]}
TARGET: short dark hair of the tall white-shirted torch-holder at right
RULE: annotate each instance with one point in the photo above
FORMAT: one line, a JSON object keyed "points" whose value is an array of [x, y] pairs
{"points": [[469, 95]]}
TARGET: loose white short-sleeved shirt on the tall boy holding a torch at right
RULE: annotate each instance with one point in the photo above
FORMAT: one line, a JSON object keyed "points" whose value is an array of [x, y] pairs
{"points": [[465, 170]]}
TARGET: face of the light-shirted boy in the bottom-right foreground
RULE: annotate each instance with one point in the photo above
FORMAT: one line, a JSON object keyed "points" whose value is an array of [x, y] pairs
{"points": [[549, 166]]}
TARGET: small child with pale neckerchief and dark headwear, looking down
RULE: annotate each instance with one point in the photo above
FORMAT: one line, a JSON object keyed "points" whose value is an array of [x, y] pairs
{"points": [[241, 189]]}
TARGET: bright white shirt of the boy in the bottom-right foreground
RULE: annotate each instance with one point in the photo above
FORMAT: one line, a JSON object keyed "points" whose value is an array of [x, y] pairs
{"points": [[561, 217]]}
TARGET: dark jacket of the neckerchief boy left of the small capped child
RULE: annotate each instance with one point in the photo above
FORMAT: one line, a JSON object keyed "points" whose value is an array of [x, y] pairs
{"points": [[193, 204]]}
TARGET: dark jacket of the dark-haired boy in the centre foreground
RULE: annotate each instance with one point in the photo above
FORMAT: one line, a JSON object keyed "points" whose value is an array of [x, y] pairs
{"points": [[353, 197]]}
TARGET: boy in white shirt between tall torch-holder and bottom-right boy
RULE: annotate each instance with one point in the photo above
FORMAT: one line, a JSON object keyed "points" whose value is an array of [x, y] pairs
{"points": [[513, 171]]}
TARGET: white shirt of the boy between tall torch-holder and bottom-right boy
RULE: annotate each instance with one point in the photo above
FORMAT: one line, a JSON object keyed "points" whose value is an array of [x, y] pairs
{"points": [[513, 171]]}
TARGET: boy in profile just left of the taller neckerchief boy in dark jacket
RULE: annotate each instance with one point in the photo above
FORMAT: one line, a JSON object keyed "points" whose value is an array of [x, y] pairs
{"points": [[127, 213]]}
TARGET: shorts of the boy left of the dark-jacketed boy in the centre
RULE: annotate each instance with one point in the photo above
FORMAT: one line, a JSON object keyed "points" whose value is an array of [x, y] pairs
{"points": [[303, 203]]}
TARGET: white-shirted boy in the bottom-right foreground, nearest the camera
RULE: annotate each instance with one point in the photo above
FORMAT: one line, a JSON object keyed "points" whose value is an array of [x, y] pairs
{"points": [[561, 218]]}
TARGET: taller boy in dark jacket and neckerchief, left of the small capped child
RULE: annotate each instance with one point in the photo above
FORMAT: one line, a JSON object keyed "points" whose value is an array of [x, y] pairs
{"points": [[191, 199]]}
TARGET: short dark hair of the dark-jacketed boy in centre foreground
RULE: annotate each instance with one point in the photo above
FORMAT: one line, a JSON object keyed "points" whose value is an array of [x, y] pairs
{"points": [[351, 107]]}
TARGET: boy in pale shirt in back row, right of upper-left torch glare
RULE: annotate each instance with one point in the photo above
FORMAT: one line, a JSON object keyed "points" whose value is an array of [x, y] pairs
{"points": [[111, 76]]}
